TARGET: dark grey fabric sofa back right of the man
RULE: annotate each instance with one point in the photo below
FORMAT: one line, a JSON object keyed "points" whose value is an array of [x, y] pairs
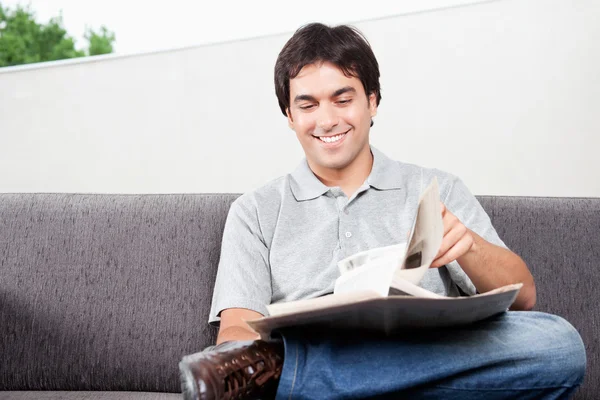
{"points": [[559, 239]]}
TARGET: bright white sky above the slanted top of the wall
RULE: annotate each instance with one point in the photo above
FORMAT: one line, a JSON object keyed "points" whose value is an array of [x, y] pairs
{"points": [[188, 23]]}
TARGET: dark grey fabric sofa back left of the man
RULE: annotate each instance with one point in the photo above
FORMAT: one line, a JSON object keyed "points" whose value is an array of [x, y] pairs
{"points": [[105, 292]]}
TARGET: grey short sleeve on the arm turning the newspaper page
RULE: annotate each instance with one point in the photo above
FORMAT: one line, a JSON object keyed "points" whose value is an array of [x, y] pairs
{"points": [[469, 211]]}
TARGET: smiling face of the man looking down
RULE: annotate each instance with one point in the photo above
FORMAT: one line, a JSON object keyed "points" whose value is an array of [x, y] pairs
{"points": [[331, 116]]}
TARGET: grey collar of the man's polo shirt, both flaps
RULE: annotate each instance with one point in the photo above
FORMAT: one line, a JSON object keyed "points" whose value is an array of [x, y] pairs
{"points": [[385, 175]]}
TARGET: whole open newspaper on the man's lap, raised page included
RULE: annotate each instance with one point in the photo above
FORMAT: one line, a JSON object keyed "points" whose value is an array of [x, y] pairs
{"points": [[378, 288]]}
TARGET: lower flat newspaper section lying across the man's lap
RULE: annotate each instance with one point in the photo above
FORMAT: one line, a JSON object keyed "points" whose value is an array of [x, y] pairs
{"points": [[390, 314]]}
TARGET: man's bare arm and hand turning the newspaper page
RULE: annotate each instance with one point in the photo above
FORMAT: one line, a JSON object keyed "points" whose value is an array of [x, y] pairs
{"points": [[487, 265]]}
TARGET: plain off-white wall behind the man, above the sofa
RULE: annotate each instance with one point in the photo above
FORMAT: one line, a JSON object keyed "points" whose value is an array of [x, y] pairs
{"points": [[504, 94]]}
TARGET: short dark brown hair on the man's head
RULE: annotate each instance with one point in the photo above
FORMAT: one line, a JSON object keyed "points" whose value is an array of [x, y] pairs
{"points": [[343, 46]]}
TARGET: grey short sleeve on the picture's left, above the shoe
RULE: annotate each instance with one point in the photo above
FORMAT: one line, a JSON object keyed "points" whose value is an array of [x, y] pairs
{"points": [[243, 276]]}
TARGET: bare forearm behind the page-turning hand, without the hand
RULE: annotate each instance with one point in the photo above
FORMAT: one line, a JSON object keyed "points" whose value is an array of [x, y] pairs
{"points": [[490, 266]]}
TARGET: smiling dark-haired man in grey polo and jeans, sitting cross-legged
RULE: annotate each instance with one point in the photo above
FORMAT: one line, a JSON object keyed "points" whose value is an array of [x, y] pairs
{"points": [[282, 242]]}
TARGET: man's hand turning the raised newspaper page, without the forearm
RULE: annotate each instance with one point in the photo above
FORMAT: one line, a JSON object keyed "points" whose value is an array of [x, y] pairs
{"points": [[457, 241]]}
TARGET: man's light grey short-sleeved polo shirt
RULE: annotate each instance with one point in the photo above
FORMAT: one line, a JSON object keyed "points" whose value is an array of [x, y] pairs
{"points": [[282, 241]]}
